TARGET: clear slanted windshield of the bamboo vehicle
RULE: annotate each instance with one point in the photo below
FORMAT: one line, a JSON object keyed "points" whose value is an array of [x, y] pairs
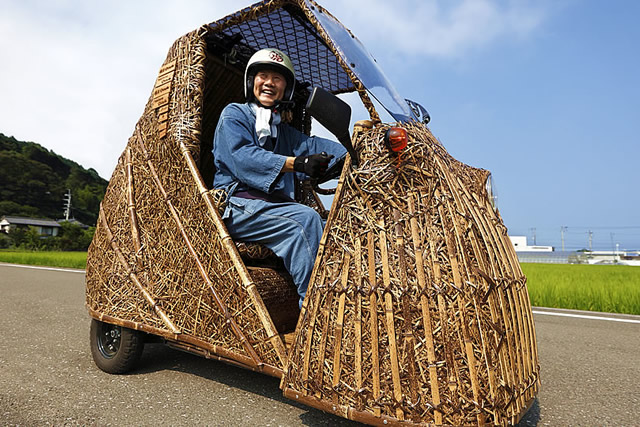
{"points": [[364, 66]]}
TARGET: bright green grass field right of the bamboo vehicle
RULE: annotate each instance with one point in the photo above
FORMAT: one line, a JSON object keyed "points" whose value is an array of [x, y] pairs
{"points": [[606, 288]]}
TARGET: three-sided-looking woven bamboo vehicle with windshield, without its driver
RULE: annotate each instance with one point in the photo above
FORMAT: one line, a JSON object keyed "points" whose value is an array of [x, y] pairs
{"points": [[417, 310]]}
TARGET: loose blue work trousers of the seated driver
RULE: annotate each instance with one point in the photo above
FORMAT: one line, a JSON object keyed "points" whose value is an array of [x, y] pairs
{"points": [[291, 230]]}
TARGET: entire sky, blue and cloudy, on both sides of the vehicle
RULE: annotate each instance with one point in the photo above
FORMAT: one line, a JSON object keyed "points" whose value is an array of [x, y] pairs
{"points": [[545, 94]]}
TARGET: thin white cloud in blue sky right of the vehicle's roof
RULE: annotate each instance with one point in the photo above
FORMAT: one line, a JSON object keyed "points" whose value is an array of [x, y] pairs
{"points": [[440, 28]]}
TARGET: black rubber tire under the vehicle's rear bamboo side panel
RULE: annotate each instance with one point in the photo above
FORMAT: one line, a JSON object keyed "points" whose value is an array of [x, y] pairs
{"points": [[124, 356]]}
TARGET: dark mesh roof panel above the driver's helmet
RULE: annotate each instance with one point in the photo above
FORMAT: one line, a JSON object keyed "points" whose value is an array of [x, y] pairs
{"points": [[288, 29]]}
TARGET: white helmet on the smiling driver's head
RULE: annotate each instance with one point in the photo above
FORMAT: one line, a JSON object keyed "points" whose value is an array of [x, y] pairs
{"points": [[270, 59]]}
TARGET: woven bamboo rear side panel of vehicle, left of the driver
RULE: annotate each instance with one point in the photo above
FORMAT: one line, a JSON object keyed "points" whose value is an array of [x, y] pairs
{"points": [[161, 259]]}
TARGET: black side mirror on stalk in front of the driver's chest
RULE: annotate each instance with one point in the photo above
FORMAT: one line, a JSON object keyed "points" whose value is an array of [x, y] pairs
{"points": [[335, 115]]}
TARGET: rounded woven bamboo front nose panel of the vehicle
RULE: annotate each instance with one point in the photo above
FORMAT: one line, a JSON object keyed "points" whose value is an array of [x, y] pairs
{"points": [[418, 309]]}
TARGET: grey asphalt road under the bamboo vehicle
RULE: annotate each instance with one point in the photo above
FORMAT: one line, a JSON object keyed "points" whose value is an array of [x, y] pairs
{"points": [[590, 371]]}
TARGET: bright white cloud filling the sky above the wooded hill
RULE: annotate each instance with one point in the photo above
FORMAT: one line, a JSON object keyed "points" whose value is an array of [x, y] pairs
{"points": [[75, 76]]}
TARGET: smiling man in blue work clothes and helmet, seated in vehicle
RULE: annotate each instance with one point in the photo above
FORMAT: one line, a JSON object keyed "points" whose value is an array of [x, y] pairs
{"points": [[257, 158]]}
